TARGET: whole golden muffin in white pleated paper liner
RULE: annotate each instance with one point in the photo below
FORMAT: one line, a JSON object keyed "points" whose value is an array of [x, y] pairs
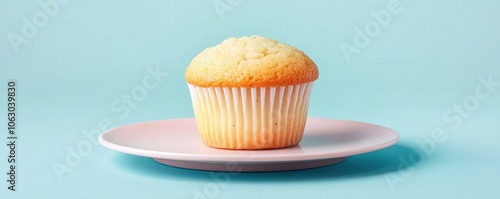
{"points": [[251, 93]]}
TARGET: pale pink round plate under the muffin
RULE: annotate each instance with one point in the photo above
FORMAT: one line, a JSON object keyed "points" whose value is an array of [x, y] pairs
{"points": [[176, 143]]}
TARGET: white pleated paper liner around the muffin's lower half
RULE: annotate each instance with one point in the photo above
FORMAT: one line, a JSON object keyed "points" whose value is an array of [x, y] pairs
{"points": [[251, 118]]}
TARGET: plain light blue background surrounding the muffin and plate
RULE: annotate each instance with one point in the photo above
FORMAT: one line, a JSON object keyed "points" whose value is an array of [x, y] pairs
{"points": [[90, 53]]}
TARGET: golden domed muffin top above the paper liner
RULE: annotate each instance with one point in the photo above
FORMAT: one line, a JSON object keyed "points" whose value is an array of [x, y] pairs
{"points": [[251, 62]]}
